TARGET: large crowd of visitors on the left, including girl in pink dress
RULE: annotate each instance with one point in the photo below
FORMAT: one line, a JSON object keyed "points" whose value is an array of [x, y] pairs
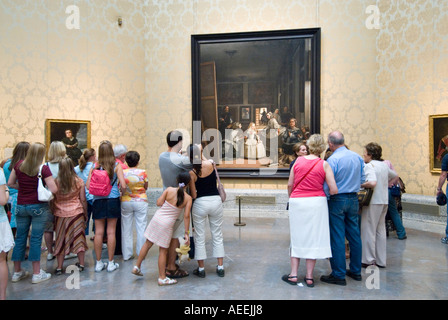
{"points": [[63, 222]]}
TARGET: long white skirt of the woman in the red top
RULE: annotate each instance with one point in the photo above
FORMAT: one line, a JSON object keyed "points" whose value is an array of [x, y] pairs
{"points": [[309, 228]]}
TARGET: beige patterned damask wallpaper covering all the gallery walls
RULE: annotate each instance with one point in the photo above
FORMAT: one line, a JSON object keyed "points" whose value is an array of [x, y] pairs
{"points": [[134, 82]]}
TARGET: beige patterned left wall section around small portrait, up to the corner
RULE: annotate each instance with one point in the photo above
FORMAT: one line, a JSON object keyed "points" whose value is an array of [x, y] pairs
{"points": [[53, 70]]}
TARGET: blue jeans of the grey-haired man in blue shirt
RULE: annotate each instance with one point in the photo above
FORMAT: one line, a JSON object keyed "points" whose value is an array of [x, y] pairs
{"points": [[343, 210]]}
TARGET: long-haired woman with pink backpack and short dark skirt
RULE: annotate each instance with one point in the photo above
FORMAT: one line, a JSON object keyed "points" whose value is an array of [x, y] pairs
{"points": [[106, 206]]}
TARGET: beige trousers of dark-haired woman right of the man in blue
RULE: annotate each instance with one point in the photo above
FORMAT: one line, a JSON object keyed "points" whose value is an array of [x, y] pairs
{"points": [[373, 234]]}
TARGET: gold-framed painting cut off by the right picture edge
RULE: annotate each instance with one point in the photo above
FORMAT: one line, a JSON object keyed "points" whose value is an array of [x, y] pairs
{"points": [[438, 141]]}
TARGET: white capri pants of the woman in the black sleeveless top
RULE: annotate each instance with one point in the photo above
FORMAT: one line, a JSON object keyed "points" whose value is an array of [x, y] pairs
{"points": [[211, 207]]}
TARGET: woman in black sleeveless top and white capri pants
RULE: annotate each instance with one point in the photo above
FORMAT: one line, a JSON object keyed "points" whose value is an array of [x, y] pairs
{"points": [[207, 204]]}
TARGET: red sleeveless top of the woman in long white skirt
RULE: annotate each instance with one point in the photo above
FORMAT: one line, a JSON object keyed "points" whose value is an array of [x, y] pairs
{"points": [[313, 184]]}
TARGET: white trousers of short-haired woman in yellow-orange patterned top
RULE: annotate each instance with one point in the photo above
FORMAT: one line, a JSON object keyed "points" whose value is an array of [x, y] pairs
{"points": [[133, 212]]}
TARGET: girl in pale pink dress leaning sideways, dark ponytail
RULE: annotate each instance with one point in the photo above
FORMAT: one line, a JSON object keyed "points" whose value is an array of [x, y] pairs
{"points": [[160, 229]]}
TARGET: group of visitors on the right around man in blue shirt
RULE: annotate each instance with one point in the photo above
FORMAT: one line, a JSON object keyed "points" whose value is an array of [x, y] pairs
{"points": [[325, 214]]}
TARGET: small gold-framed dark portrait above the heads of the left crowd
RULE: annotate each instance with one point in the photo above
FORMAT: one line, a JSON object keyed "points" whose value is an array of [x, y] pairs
{"points": [[75, 134]]}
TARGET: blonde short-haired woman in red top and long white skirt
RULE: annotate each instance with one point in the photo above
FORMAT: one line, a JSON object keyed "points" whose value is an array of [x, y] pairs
{"points": [[308, 210]]}
